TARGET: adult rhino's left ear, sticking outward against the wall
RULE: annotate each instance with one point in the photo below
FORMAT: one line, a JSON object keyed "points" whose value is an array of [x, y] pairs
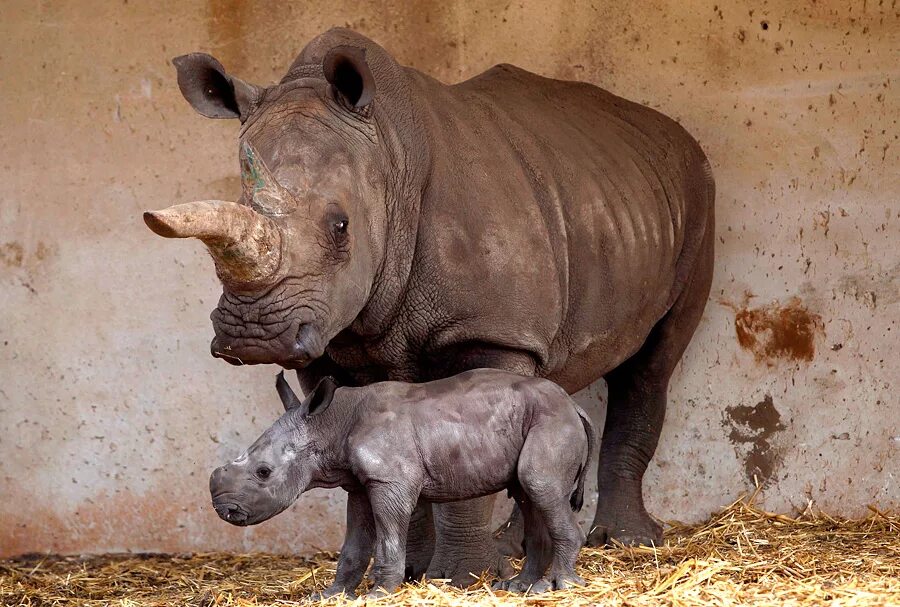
{"points": [[211, 91]]}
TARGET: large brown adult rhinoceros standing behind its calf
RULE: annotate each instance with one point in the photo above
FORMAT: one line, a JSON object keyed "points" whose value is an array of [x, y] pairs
{"points": [[392, 226]]}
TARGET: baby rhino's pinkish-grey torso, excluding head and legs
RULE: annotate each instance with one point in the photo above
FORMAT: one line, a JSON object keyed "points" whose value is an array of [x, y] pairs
{"points": [[461, 437]]}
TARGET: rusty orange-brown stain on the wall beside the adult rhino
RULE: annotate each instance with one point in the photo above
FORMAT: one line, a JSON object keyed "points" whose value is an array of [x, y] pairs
{"points": [[777, 331]]}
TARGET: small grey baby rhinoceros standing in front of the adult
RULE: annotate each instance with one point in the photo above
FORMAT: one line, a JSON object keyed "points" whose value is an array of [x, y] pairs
{"points": [[391, 444]]}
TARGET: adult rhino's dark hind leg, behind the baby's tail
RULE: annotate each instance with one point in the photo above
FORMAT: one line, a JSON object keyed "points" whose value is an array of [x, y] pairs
{"points": [[634, 415]]}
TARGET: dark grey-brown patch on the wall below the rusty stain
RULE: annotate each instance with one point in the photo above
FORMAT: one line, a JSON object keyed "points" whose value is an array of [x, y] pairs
{"points": [[750, 430]]}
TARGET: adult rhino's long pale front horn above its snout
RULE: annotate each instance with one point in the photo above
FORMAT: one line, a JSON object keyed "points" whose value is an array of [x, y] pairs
{"points": [[245, 245]]}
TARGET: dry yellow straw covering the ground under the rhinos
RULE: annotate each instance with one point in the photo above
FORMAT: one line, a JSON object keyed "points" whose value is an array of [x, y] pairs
{"points": [[742, 556]]}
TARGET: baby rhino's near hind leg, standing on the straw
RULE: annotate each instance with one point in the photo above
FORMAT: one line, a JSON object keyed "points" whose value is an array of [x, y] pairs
{"points": [[548, 466]]}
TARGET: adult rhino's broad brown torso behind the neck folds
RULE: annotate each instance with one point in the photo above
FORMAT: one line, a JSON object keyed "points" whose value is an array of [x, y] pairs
{"points": [[585, 211]]}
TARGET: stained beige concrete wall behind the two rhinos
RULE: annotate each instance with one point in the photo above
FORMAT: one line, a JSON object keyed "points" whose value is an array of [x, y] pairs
{"points": [[112, 412]]}
